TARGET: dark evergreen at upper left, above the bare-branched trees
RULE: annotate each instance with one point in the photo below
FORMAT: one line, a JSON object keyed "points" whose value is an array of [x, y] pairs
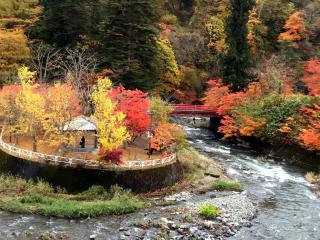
{"points": [[64, 21]]}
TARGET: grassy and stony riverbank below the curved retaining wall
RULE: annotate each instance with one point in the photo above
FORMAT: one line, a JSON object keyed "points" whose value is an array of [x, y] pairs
{"points": [[171, 212]]}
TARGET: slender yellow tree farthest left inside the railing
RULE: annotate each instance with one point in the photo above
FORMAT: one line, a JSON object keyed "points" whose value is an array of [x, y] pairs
{"points": [[31, 107]]}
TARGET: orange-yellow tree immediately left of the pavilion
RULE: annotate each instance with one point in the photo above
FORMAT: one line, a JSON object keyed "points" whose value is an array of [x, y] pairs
{"points": [[62, 105]]}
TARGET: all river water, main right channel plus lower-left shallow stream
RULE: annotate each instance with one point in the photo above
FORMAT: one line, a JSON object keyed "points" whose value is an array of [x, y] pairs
{"points": [[288, 210]]}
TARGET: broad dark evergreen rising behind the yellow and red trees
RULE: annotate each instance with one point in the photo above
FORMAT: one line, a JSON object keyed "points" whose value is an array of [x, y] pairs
{"points": [[128, 39]]}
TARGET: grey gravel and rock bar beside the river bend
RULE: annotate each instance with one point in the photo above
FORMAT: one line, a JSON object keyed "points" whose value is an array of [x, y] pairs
{"points": [[181, 220]]}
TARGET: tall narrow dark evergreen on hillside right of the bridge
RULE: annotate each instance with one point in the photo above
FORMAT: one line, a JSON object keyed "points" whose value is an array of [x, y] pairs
{"points": [[237, 61]]}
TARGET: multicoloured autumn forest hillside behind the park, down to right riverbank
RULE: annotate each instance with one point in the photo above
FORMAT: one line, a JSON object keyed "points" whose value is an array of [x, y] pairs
{"points": [[256, 61]]}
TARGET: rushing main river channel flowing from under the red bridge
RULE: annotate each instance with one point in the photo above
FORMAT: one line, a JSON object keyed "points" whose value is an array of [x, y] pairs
{"points": [[288, 210]]}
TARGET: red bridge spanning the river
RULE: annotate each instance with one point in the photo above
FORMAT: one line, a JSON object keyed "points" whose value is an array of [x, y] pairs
{"points": [[183, 110]]}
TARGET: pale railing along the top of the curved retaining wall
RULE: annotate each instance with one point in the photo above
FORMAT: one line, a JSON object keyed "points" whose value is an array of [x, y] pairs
{"points": [[82, 163]]}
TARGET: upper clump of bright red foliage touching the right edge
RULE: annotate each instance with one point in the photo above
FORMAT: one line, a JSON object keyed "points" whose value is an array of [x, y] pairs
{"points": [[312, 76]]}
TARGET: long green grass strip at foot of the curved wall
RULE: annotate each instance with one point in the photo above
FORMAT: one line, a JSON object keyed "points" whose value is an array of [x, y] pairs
{"points": [[22, 196]]}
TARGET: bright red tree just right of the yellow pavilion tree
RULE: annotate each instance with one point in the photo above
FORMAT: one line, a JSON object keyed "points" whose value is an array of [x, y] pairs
{"points": [[135, 105]]}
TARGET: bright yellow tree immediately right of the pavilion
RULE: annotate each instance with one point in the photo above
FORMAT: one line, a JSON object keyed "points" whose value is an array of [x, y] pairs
{"points": [[111, 130]]}
